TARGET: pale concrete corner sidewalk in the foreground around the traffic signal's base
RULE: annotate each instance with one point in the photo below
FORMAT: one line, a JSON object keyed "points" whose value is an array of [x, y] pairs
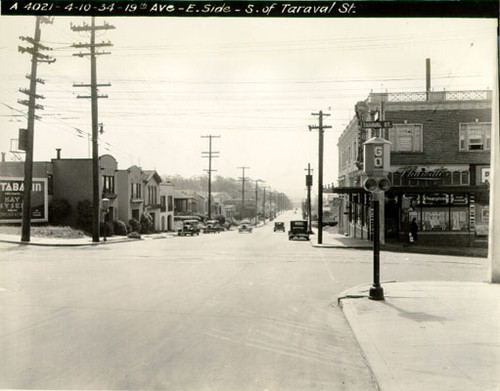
{"points": [[431, 335]]}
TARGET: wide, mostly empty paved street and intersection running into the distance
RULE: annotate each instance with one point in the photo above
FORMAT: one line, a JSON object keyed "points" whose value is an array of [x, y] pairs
{"points": [[215, 312]]}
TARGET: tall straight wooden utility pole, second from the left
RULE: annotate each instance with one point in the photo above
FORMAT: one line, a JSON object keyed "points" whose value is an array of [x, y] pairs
{"points": [[94, 96]]}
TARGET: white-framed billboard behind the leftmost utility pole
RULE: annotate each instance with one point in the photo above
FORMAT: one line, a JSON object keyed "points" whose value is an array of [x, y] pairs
{"points": [[11, 200]]}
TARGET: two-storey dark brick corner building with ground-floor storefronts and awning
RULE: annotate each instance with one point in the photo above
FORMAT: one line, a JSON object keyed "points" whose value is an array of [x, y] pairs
{"points": [[440, 165]]}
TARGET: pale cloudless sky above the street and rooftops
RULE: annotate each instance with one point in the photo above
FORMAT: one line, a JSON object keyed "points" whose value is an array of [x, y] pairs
{"points": [[255, 82]]}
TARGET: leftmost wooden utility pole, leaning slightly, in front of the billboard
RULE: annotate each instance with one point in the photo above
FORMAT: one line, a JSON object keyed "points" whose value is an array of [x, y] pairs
{"points": [[26, 136]]}
